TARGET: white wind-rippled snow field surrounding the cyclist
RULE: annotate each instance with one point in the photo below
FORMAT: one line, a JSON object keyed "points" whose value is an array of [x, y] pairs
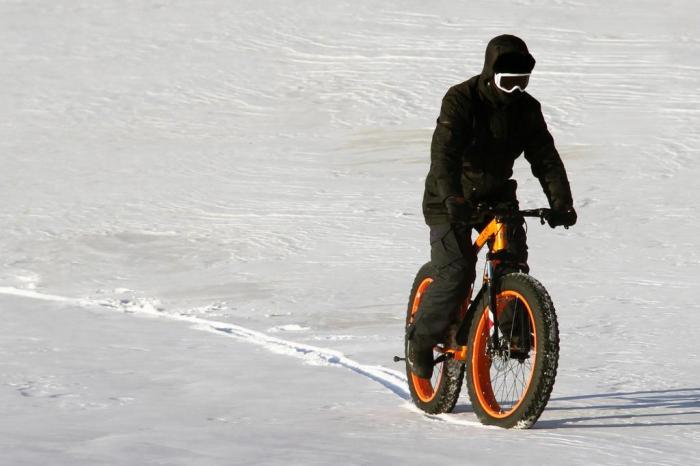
{"points": [[210, 221]]}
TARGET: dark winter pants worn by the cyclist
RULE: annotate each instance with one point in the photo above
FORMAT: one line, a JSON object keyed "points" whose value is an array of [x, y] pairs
{"points": [[454, 259]]}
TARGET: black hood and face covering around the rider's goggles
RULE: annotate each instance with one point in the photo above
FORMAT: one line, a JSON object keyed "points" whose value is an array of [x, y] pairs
{"points": [[504, 54]]}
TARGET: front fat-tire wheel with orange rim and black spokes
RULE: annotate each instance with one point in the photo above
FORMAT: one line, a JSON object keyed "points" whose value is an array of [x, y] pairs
{"points": [[510, 381]]}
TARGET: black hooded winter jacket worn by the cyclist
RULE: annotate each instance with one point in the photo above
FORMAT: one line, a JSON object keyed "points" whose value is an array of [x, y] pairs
{"points": [[481, 131]]}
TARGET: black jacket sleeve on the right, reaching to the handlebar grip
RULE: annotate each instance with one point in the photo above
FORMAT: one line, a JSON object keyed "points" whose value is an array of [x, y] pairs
{"points": [[546, 163]]}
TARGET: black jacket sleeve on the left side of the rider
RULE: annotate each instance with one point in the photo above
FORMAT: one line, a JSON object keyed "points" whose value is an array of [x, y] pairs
{"points": [[451, 133]]}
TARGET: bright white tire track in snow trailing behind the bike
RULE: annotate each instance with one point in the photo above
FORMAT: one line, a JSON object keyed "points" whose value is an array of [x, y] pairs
{"points": [[394, 381]]}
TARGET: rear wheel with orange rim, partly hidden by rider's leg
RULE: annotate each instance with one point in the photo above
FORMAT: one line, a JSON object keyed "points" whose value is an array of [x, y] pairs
{"points": [[439, 393]]}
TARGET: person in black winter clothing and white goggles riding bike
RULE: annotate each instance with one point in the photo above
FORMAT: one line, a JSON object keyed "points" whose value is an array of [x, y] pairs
{"points": [[485, 123]]}
